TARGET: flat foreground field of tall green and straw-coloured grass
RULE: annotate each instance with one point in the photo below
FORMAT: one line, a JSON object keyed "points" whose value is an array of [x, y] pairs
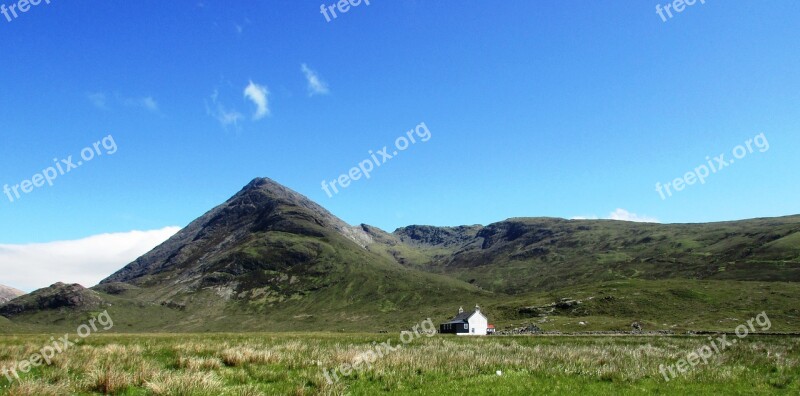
{"points": [[293, 364]]}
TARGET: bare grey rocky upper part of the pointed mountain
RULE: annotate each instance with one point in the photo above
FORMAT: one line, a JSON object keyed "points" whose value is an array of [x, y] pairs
{"points": [[262, 206]]}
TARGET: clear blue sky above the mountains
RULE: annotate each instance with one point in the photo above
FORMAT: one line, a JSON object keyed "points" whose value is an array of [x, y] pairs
{"points": [[561, 109]]}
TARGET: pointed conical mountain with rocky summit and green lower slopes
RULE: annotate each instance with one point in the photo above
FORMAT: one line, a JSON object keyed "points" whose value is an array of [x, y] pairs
{"points": [[271, 252]]}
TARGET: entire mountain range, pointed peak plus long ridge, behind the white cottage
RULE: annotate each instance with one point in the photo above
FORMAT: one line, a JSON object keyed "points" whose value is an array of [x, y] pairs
{"points": [[270, 259]]}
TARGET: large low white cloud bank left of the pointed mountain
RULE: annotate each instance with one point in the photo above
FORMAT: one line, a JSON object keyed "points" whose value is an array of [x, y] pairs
{"points": [[85, 261]]}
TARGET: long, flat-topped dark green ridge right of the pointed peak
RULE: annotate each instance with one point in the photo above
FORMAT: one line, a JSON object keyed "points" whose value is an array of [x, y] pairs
{"points": [[533, 254]]}
